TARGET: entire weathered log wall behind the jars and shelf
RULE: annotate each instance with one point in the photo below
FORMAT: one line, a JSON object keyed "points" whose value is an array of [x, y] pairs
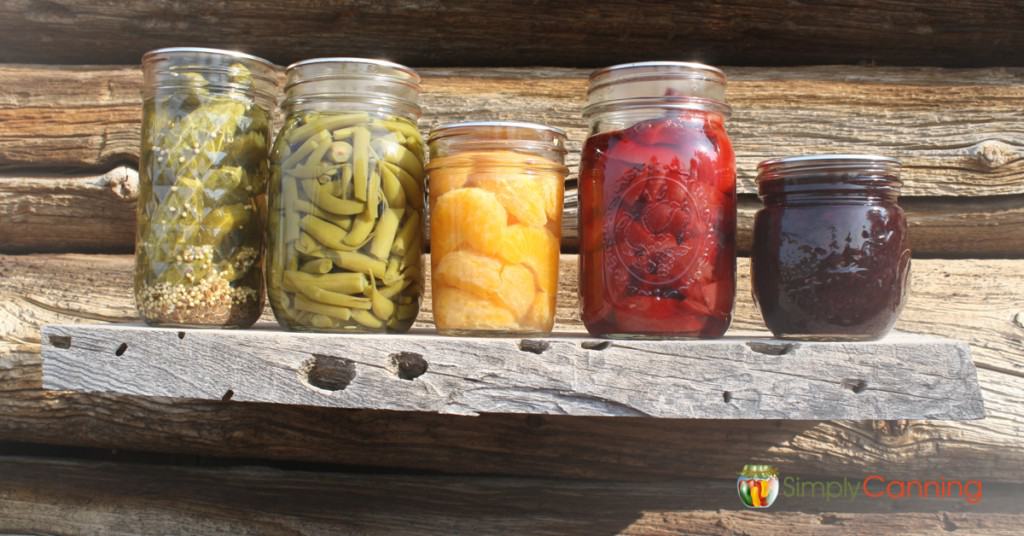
{"points": [[824, 79]]}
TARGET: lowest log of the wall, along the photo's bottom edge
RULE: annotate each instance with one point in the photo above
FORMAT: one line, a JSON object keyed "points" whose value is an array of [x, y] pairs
{"points": [[66, 497]]}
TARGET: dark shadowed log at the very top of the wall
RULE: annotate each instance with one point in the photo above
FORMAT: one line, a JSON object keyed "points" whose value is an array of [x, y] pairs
{"points": [[575, 33]]}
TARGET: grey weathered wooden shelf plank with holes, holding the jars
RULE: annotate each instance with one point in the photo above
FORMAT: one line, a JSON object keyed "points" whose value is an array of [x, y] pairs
{"points": [[901, 378]]}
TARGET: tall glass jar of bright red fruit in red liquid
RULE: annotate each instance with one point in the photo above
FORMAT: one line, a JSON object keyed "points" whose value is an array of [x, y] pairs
{"points": [[658, 203]]}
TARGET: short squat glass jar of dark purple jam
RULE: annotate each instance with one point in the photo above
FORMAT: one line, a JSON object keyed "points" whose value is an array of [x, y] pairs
{"points": [[831, 259]]}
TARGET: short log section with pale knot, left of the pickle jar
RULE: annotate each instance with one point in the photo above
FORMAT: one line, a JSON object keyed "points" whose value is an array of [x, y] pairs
{"points": [[70, 214]]}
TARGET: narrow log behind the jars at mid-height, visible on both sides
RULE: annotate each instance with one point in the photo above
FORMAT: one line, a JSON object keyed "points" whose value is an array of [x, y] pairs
{"points": [[97, 214]]}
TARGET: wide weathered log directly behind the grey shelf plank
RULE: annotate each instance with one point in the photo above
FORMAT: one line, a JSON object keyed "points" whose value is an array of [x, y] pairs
{"points": [[978, 302]]}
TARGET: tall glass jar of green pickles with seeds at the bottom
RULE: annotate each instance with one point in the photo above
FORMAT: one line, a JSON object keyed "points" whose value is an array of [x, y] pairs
{"points": [[203, 170]]}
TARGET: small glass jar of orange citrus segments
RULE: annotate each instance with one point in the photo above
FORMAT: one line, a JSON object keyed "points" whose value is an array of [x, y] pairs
{"points": [[496, 214]]}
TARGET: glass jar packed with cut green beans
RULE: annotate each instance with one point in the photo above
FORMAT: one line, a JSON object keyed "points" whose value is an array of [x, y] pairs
{"points": [[346, 233]]}
